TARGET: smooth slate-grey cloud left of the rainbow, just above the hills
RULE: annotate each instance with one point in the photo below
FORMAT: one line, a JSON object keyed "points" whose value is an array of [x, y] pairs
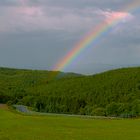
{"points": [[37, 50]]}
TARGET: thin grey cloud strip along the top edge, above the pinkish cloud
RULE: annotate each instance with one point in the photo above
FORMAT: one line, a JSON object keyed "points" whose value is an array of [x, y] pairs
{"points": [[111, 4]]}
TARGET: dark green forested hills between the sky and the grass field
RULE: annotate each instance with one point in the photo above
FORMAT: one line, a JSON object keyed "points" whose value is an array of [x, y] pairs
{"points": [[112, 93]]}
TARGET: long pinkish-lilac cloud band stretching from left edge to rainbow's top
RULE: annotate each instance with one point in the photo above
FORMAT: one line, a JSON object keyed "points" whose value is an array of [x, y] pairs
{"points": [[28, 18]]}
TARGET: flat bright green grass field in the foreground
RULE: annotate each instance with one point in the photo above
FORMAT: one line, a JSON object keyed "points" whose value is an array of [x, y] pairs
{"points": [[14, 126]]}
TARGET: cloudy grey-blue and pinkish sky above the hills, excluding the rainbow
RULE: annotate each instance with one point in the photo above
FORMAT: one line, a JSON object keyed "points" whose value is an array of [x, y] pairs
{"points": [[37, 34]]}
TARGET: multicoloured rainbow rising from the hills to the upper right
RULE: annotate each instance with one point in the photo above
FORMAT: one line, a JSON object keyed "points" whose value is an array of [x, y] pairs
{"points": [[94, 36]]}
